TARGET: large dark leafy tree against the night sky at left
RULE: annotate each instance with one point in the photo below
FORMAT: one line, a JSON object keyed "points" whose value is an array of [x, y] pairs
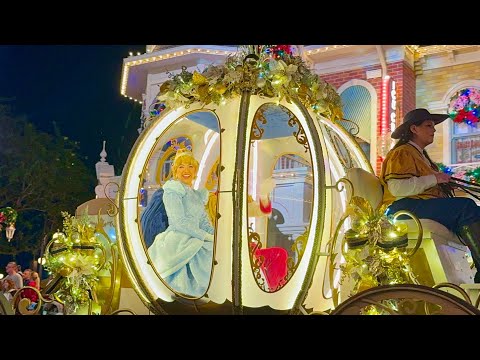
{"points": [[40, 176]]}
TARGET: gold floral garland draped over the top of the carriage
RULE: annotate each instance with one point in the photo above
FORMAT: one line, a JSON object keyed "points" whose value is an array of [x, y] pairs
{"points": [[265, 70]]}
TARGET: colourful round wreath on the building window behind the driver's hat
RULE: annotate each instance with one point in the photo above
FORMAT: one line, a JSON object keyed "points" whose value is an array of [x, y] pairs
{"points": [[464, 106]]}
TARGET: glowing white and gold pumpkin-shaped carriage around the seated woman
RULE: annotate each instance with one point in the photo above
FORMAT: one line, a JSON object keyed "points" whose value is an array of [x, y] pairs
{"points": [[262, 118]]}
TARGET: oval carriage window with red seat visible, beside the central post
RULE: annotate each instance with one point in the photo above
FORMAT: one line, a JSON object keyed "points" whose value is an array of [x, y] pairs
{"points": [[279, 196]]}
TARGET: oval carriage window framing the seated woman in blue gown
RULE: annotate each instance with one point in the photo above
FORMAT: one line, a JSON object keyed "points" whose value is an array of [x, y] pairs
{"points": [[177, 203]]}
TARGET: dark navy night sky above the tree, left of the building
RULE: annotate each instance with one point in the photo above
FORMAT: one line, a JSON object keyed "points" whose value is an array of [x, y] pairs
{"points": [[78, 87]]}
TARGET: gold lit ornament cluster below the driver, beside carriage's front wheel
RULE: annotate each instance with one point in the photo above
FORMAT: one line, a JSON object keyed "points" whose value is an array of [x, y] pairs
{"points": [[376, 253]]}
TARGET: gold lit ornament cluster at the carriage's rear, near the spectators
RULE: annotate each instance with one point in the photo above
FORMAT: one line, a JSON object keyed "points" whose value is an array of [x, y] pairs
{"points": [[76, 256]]}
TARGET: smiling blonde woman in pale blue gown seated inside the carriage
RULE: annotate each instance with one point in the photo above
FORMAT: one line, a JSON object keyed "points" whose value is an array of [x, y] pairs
{"points": [[183, 253]]}
